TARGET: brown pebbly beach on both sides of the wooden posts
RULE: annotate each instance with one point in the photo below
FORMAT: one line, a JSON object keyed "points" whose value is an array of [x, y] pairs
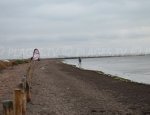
{"points": [[60, 89]]}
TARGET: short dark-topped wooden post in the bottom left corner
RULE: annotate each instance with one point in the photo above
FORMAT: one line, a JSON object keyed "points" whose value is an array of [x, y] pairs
{"points": [[8, 107]]}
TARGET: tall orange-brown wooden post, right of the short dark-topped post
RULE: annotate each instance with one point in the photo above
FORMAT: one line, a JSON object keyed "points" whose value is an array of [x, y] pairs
{"points": [[18, 102]]}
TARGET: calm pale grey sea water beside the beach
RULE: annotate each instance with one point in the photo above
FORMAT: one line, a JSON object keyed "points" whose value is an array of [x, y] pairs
{"points": [[134, 68]]}
